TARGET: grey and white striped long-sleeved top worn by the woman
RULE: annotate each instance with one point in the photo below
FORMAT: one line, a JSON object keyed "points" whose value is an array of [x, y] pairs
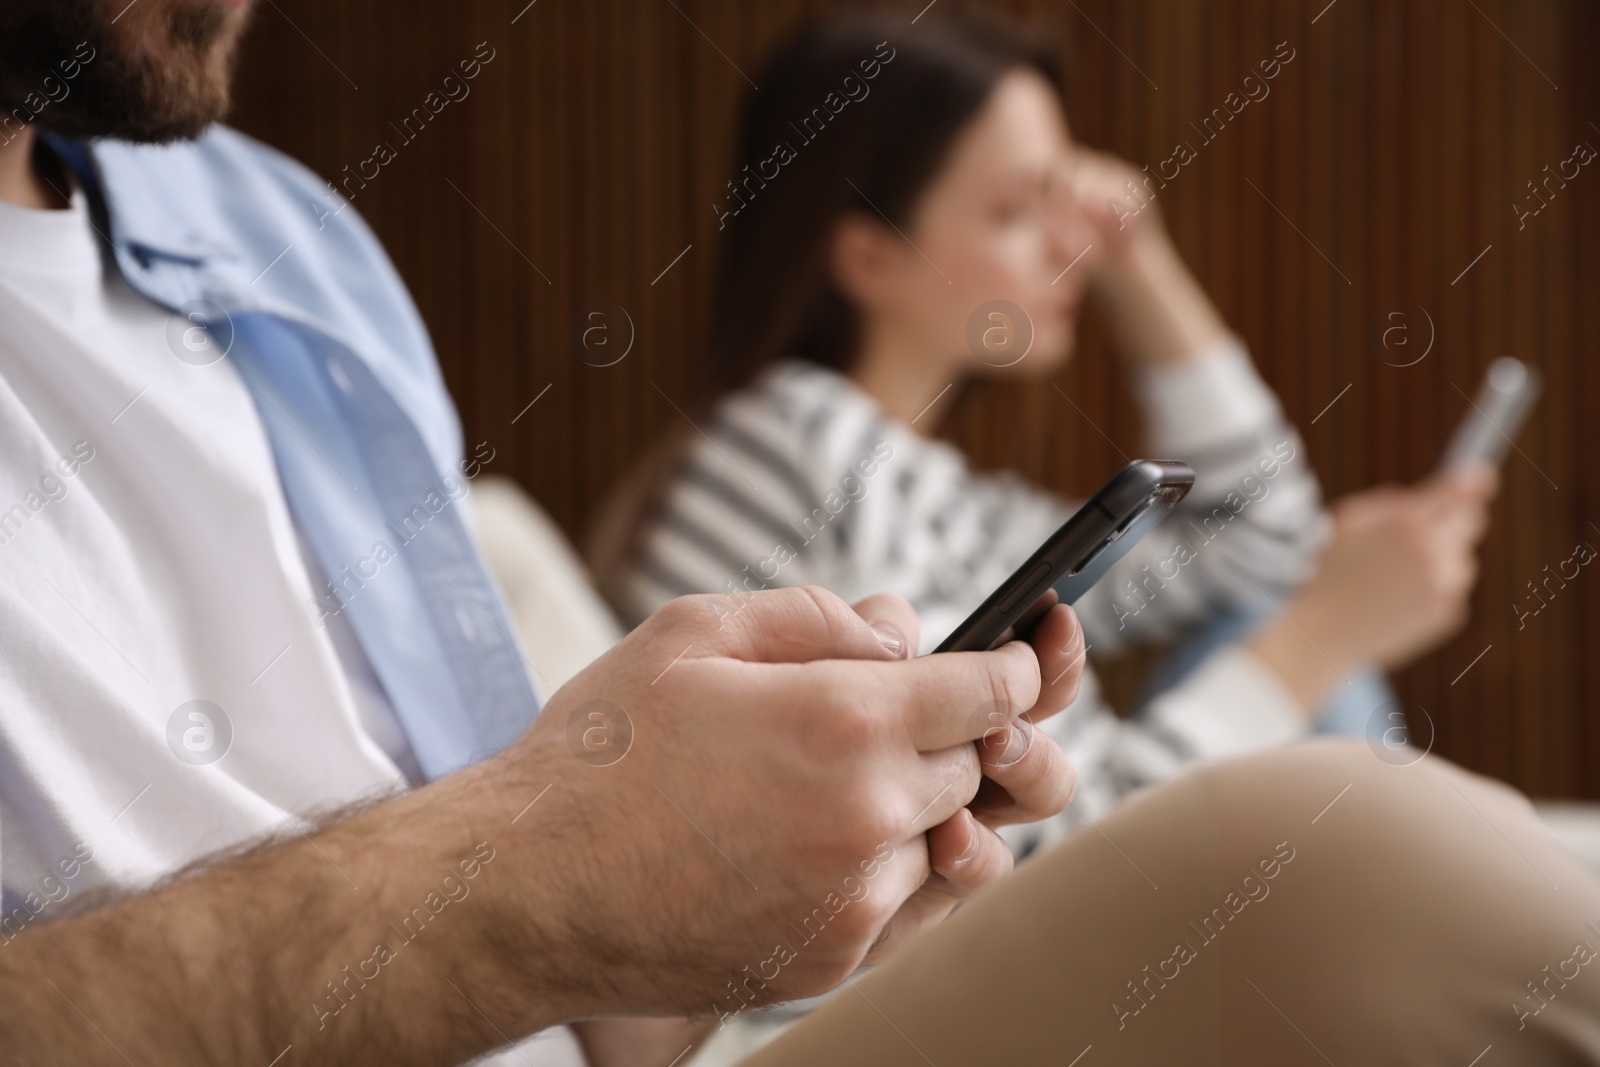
{"points": [[802, 479]]}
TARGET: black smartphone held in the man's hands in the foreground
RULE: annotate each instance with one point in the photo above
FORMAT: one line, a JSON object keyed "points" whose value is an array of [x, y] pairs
{"points": [[1078, 556]]}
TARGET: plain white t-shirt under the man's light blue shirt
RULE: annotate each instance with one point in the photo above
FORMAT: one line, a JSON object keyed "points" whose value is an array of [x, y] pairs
{"points": [[150, 561]]}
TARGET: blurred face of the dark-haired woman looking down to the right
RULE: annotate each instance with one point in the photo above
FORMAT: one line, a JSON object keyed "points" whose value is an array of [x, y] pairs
{"points": [[982, 276]]}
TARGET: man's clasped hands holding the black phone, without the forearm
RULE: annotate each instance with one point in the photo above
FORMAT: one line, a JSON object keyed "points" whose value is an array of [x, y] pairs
{"points": [[790, 786]]}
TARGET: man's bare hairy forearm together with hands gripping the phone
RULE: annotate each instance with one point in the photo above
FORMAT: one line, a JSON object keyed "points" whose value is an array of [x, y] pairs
{"points": [[730, 807]]}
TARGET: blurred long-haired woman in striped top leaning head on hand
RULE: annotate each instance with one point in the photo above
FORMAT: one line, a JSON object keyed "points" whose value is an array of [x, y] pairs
{"points": [[910, 212]]}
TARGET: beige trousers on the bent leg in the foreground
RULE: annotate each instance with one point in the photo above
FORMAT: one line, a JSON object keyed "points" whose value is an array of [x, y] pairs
{"points": [[1313, 905]]}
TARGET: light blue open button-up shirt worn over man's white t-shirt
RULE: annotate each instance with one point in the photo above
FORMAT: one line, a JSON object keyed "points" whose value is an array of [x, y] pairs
{"points": [[297, 290]]}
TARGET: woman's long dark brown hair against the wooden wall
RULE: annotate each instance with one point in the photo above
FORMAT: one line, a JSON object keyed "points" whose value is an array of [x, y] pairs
{"points": [[801, 166]]}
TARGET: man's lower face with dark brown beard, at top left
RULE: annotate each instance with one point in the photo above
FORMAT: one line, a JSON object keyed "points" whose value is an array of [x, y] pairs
{"points": [[159, 70]]}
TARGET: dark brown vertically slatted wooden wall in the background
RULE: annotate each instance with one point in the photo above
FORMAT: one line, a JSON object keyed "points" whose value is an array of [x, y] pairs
{"points": [[593, 146]]}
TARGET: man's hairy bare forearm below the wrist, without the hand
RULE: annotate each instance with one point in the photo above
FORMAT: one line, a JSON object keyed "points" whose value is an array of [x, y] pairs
{"points": [[398, 937]]}
